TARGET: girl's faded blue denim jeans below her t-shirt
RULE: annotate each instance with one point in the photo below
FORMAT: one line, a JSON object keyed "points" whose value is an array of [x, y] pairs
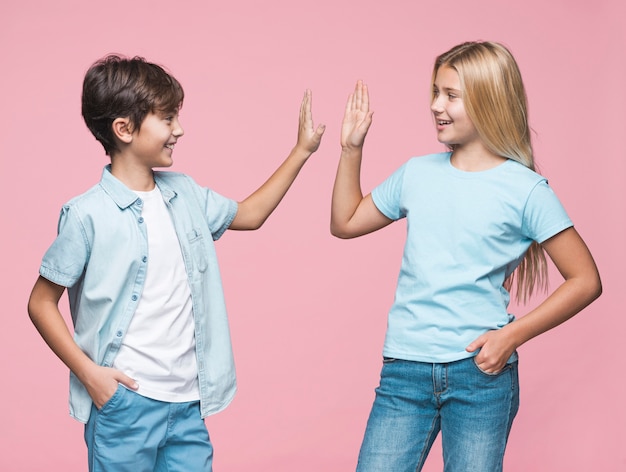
{"points": [[415, 400]]}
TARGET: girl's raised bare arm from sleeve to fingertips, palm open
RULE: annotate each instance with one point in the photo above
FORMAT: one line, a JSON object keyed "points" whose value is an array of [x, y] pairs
{"points": [[352, 214]]}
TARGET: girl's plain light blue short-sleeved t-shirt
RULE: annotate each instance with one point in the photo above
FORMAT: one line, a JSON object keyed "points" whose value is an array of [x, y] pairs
{"points": [[466, 232]]}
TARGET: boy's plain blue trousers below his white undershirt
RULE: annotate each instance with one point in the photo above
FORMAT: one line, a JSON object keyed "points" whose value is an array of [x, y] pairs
{"points": [[131, 433]]}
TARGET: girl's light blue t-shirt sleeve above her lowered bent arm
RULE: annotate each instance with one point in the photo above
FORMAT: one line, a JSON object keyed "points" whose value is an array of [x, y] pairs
{"points": [[544, 215]]}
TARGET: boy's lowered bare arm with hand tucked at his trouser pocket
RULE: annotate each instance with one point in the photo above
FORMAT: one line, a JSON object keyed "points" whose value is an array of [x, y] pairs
{"points": [[43, 309]]}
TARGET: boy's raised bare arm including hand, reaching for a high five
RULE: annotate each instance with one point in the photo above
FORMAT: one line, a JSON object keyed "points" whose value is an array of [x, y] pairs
{"points": [[255, 209]]}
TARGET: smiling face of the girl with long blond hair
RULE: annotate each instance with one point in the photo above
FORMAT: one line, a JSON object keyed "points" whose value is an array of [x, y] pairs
{"points": [[454, 127]]}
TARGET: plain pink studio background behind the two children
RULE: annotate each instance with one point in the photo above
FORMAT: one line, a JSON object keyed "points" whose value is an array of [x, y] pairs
{"points": [[308, 311]]}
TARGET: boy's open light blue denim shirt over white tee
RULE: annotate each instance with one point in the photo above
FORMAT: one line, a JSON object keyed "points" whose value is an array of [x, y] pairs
{"points": [[101, 255]]}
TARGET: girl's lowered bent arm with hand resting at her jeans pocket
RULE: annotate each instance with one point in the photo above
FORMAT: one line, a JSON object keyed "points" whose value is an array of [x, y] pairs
{"points": [[581, 286]]}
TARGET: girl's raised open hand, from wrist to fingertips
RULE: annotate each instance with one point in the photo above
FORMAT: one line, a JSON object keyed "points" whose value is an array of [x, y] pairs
{"points": [[357, 118]]}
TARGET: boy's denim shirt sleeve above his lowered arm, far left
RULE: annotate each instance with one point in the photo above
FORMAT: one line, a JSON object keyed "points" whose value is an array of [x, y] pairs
{"points": [[65, 260]]}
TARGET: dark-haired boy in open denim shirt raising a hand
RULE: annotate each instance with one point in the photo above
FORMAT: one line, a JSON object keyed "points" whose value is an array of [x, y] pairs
{"points": [[151, 353]]}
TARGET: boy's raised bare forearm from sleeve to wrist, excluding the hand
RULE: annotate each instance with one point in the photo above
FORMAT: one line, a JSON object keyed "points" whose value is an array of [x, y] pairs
{"points": [[256, 208]]}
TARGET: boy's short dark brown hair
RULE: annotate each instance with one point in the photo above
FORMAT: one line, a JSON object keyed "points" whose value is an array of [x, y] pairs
{"points": [[118, 87]]}
